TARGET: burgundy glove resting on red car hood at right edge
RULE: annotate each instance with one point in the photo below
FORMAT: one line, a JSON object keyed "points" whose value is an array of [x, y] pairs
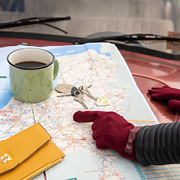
{"points": [[172, 95]]}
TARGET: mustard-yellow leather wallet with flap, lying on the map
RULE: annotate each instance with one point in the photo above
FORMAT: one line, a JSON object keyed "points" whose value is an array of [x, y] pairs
{"points": [[27, 154]]}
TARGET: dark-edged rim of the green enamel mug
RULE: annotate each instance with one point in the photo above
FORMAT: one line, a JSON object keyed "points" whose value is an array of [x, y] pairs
{"points": [[31, 68]]}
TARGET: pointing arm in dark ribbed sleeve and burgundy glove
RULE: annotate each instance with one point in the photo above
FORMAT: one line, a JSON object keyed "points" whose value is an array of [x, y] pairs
{"points": [[149, 145]]}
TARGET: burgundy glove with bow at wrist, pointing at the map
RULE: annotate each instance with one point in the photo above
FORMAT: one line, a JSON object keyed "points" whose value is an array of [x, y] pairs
{"points": [[110, 130]]}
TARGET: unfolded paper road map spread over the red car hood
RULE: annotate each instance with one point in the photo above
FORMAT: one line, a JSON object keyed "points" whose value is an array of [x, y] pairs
{"points": [[102, 66]]}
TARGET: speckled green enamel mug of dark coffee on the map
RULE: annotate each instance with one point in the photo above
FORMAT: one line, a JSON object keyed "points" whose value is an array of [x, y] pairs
{"points": [[31, 72]]}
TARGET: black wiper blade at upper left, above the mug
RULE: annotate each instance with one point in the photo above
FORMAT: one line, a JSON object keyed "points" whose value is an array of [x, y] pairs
{"points": [[32, 20]]}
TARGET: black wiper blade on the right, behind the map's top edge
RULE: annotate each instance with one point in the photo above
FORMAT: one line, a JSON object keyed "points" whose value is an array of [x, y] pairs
{"points": [[127, 38]]}
